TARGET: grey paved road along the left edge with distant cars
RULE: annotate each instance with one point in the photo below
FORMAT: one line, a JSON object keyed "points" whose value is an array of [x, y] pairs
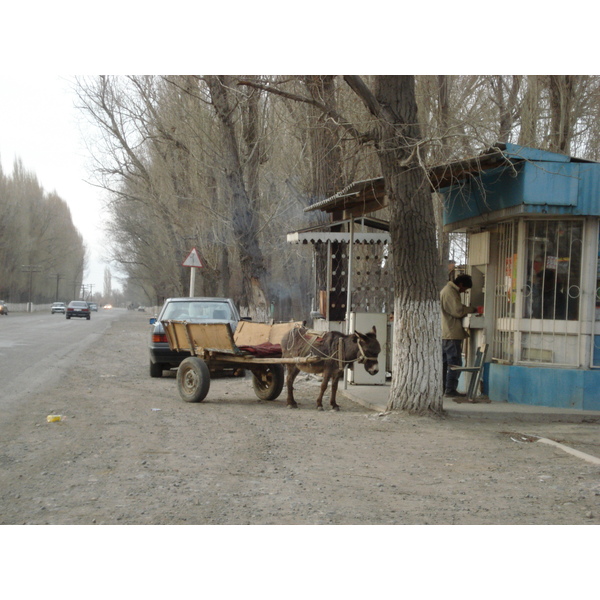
{"points": [[36, 349]]}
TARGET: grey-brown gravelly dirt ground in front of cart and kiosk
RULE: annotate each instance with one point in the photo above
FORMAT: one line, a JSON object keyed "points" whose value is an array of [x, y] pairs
{"points": [[128, 450]]}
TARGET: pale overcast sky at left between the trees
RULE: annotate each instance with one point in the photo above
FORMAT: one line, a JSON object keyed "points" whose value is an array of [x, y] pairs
{"points": [[40, 125]]}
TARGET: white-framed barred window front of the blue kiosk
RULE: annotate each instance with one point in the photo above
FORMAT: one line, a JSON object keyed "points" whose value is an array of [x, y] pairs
{"points": [[537, 302]]}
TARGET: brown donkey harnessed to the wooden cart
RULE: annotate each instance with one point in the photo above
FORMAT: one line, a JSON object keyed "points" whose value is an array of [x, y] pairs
{"points": [[356, 347]]}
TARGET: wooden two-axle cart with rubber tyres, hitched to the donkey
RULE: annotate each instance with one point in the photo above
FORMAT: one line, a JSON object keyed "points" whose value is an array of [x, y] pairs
{"points": [[213, 346]]}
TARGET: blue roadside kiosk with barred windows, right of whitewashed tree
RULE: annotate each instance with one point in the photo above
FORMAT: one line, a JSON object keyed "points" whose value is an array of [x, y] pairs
{"points": [[532, 223]]}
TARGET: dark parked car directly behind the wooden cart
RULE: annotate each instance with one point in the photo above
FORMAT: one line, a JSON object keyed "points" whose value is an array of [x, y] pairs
{"points": [[194, 310]]}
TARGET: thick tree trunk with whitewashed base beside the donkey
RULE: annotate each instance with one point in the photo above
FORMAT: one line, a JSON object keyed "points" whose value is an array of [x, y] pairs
{"points": [[416, 372]]}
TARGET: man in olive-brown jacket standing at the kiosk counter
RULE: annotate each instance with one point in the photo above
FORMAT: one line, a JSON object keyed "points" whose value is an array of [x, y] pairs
{"points": [[453, 333]]}
